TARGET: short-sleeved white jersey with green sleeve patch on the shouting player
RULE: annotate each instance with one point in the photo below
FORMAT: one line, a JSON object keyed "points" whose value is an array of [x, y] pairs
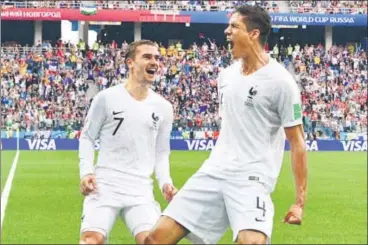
{"points": [[255, 109]]}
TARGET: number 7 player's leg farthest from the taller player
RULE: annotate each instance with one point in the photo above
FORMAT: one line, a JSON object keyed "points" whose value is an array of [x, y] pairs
{"points": [[97, 219]]}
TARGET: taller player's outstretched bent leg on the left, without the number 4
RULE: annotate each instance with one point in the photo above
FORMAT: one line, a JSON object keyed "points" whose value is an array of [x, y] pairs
{"points": [[198, 210]]}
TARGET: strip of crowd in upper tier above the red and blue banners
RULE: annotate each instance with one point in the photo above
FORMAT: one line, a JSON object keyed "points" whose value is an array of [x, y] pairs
{"points": [[306, 6]]}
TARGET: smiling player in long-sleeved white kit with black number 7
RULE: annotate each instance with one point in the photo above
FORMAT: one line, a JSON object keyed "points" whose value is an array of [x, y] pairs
{"points": [[133, 125]]}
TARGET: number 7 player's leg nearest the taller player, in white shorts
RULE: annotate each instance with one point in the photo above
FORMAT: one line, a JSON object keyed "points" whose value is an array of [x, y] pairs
{"points": [[141, 218]]}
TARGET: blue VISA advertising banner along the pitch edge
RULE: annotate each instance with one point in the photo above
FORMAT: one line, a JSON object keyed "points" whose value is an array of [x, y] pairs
{"points": [[185, 145]]}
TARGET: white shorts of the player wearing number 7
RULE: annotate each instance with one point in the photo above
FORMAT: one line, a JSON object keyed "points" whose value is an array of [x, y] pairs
{"points": [[101, 209]]}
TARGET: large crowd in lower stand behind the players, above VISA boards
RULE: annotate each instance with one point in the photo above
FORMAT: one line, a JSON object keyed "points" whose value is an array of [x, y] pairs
{"points": [[45, 87]]}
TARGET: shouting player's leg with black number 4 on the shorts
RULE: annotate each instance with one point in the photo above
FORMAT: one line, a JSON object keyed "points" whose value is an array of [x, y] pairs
{"points": [[250, 211]]}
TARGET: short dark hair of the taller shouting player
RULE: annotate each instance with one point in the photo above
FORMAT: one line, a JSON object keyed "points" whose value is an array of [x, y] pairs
{"points": [[256, 17]]}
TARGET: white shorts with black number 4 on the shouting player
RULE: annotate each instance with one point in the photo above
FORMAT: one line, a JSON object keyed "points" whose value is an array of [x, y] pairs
{"points": [[206, 206]]}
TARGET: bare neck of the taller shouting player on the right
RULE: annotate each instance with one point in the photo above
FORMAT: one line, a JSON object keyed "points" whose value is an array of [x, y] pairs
{"points": [[255, 61]]}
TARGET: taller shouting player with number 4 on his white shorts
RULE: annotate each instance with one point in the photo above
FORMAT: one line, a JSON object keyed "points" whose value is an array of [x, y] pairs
{"points": [[259, 104]]}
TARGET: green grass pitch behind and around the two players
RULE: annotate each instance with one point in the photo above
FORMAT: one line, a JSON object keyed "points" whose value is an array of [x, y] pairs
{"points": [[45, 205]]}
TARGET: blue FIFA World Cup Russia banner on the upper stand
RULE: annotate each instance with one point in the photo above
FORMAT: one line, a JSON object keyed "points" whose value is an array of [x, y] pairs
{"points": [[286, 18]]}
